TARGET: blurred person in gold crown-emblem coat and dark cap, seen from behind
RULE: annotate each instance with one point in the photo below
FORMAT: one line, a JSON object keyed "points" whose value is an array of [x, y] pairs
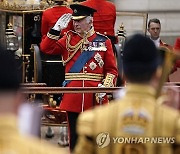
{"points": [[136, 123]]}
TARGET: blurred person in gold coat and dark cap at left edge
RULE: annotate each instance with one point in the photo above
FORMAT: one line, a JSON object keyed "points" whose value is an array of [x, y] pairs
{"points": [[11, 142]]}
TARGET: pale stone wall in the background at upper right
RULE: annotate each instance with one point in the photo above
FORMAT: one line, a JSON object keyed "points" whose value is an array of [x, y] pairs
{"points": [[168, 11]]}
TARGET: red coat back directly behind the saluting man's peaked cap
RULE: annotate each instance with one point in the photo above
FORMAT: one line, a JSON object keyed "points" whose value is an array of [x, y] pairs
{"points": [[105, 17]]}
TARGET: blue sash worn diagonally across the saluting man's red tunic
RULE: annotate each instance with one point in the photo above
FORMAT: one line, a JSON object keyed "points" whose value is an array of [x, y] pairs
{"points": [[82, 59]]}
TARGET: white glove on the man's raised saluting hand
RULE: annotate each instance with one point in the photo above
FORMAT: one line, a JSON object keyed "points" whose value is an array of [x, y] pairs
{"points": [[62, 22]]}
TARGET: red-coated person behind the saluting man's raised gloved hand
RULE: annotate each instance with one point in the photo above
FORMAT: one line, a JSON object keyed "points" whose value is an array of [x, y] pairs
{"points": [[51, 15]]}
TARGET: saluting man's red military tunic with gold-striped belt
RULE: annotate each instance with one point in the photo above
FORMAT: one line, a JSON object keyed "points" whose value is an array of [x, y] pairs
{"points": [[101, 66]]}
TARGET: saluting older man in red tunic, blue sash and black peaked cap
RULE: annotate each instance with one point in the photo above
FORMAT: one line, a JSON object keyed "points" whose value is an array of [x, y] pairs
{"points": [[88, 58]]}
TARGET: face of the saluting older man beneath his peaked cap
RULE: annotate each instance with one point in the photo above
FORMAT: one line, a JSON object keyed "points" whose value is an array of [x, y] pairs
{"points": [[81, 26]]}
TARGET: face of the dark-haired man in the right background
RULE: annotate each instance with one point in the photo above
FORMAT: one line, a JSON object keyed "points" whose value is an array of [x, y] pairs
{"points": [[154, 30]]}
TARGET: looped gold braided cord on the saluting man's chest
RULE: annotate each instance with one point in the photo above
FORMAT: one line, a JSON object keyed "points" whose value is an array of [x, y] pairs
{"points": [[72, 49]]}
